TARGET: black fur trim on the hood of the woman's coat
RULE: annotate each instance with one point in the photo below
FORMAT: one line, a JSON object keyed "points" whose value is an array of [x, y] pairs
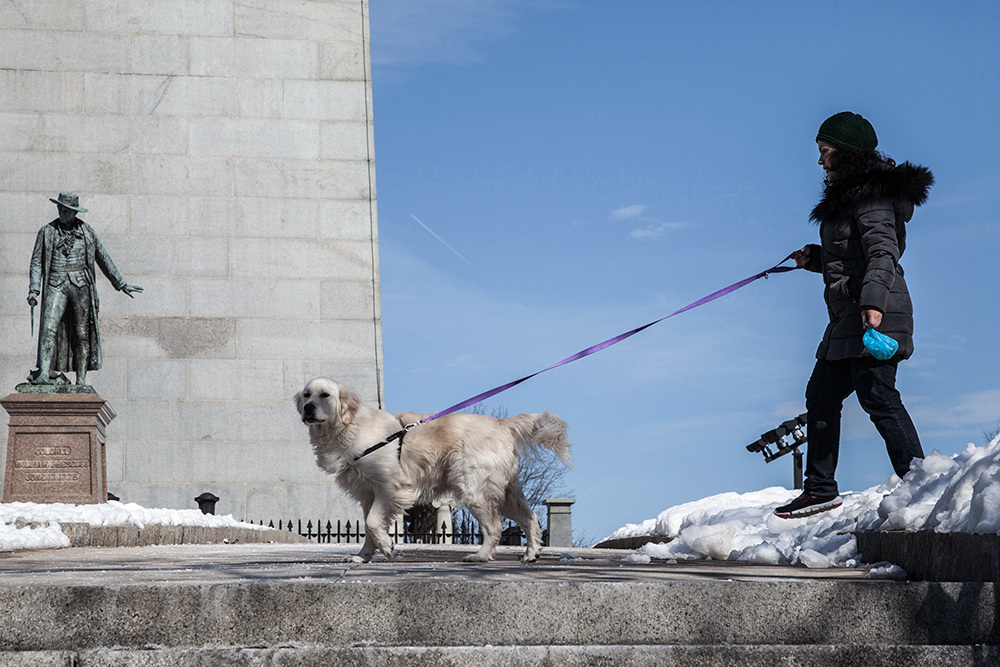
{"points": [[907, 182]]}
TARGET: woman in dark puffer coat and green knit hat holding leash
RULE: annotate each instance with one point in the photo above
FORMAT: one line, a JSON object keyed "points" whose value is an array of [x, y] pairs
{"points": [[867, 201]]}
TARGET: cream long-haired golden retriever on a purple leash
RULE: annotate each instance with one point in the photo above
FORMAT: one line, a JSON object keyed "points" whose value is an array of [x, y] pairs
{"points": [[473, 458]]}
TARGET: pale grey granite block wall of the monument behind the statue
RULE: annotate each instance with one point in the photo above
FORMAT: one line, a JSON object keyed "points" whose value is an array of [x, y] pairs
{"points": [[224, 151]]}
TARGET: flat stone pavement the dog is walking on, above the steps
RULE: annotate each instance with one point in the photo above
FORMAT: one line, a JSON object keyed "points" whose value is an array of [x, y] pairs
{"points": [[277, 563]]}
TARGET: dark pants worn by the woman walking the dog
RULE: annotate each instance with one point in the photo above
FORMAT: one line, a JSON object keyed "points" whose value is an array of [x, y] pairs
{"points": [[875, 384]]}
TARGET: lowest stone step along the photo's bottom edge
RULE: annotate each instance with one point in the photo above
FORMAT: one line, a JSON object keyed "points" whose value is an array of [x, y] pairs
{"points": [[517, 656]]}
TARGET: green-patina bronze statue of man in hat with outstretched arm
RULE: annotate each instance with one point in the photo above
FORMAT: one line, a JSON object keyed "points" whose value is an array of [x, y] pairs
{"points": [[62, 272]]}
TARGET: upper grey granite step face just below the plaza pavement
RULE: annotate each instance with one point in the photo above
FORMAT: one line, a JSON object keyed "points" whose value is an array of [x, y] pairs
{"points": [[343, 613]]}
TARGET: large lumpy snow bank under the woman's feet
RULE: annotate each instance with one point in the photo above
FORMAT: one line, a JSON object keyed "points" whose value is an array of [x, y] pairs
{"points": [[941, 493]]}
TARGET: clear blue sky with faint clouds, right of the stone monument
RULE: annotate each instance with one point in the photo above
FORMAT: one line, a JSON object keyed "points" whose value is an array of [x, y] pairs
{"points": [[553, 173]]}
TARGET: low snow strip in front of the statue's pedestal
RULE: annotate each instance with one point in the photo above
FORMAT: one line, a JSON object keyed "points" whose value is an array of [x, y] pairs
{"points": [[37, 526]]}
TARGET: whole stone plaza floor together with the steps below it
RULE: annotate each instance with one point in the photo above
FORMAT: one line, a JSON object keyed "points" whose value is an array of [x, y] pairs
{"points": [[250, 604]]}
